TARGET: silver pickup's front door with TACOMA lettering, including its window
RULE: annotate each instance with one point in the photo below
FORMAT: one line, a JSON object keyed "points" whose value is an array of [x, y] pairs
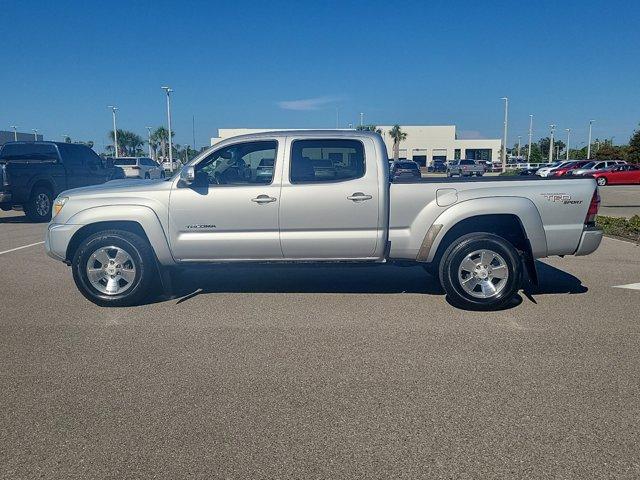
{"points": [[231, 211]]}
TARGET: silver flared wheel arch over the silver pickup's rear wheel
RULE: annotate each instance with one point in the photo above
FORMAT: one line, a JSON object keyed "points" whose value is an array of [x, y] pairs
{"points": [[523, 208]]}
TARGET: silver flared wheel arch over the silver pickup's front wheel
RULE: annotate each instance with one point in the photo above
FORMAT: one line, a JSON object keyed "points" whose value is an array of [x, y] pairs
{"points": [[140, 214]]}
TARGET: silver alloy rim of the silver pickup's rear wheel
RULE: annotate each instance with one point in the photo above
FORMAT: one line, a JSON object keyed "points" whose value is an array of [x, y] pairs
{"points": [[483, 274]]}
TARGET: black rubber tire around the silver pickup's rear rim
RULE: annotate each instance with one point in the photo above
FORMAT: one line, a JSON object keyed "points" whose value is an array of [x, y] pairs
{"points": [[467, 245]]}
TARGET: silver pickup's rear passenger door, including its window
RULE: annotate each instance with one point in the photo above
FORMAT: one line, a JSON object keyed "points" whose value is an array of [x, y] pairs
{"points": [[332, 216]]}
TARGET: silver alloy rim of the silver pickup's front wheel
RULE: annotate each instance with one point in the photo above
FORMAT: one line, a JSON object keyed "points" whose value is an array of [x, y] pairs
{"points": [[111, 270]]}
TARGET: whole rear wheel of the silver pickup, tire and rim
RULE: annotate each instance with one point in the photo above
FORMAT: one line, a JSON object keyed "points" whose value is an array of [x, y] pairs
{"points": [[481, 271]]}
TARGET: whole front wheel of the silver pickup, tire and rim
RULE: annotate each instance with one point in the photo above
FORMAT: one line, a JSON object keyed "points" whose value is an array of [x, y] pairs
{"points": [[114, 268]]}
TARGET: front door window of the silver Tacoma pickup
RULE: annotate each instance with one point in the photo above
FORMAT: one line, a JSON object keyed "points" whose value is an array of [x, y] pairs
{"points": [[240, 164]]}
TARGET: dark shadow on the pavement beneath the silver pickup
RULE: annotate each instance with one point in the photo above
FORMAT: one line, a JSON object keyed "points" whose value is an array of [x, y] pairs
{"points": [[332, 279]]}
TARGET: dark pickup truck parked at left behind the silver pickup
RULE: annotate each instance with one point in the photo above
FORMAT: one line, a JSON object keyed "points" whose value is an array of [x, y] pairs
{"points": [[33, 173]]}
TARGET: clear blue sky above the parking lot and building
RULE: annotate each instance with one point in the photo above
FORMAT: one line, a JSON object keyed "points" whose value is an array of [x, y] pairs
{"points": [[291, 64]]}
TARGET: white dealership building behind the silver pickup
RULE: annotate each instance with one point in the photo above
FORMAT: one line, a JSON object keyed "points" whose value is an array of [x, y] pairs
{"points": [[424, 143]]}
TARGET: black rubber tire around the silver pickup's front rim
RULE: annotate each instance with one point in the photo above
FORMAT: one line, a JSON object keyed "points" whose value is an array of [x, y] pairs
{"points": [[142, 258]]}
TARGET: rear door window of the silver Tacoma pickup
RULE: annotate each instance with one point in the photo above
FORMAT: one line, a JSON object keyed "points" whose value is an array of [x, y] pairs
{"points": [[321, 161]]}
